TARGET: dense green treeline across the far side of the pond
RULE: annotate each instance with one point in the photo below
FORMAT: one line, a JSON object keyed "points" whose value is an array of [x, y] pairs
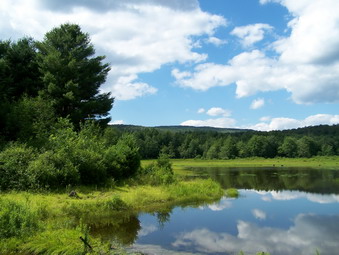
{"points": [[303, 142]]}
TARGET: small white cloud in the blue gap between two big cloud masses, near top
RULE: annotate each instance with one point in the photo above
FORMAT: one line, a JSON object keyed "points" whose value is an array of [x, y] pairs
{"points": [[251, 34]]}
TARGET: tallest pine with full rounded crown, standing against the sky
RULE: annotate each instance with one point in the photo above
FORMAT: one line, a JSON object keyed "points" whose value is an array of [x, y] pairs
{"points": [[72, 75]]}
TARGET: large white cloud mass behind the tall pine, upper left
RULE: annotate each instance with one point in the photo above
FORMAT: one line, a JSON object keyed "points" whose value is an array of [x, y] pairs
{"points": [[136, 36]]}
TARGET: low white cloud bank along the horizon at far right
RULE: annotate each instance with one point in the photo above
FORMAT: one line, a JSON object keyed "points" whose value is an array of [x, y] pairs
{"points": [[289, 123]]}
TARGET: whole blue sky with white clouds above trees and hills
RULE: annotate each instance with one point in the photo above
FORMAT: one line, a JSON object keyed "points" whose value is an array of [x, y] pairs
{"points": [[259, 64]]}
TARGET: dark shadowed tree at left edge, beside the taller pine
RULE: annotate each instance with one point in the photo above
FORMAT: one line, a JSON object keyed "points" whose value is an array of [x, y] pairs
{"points": [[19, 76]]}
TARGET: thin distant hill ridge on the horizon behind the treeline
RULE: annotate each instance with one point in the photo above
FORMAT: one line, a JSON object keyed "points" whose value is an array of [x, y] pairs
{"points": [[123, 127]]}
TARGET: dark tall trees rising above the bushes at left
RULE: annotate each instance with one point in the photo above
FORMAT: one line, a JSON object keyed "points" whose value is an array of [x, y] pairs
{"points": [[41, 81]]}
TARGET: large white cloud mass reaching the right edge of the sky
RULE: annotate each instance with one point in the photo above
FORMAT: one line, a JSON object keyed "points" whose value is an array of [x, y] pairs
{"points": [[305, 64]]}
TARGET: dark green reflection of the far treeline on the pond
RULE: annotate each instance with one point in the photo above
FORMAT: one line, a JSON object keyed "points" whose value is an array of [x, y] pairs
{"points": [[302, 179]]}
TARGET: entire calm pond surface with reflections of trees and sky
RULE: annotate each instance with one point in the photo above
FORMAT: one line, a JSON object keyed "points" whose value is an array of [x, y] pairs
{"points": [[281, 211]]}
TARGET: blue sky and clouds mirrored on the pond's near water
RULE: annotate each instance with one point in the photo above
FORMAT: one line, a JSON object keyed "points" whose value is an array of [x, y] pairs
{"points": [[277, 222]]}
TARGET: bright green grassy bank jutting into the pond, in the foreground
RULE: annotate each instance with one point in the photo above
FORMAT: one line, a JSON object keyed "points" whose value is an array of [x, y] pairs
{"points": [[52, 223]]}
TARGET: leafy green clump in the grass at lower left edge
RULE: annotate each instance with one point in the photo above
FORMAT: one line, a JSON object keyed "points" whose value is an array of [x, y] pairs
{"points": [[16, 219]]}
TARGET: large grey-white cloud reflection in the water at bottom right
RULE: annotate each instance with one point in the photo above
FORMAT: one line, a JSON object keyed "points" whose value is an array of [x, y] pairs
{"points": [[309, 233]]}
